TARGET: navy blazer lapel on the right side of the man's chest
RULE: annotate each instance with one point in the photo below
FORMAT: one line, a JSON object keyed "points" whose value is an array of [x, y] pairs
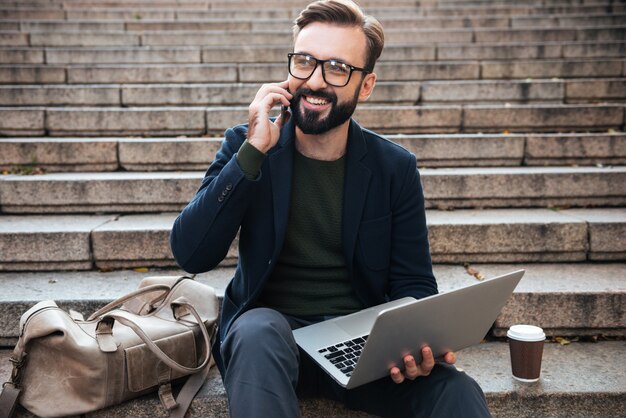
{"points": [[355, 190]]}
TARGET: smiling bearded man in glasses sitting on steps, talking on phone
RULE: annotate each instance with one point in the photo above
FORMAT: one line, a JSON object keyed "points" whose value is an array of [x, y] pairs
{"points": [[330, 219]]}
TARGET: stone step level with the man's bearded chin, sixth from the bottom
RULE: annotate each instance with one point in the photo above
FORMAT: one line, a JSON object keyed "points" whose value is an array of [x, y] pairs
{"points": [[196, 121]]}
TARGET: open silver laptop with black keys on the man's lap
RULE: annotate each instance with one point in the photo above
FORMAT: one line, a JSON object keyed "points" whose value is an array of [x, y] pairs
{"points": [[359, 348]]}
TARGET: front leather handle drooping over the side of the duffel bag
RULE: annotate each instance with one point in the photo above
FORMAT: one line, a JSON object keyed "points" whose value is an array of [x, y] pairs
{"points": [[104, 335]]}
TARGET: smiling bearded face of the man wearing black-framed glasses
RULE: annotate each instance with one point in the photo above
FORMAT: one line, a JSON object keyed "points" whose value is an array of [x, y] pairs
{"points": [[318, 107]]}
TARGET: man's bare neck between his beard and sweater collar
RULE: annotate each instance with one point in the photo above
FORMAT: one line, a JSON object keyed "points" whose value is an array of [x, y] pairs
{"points": [[329, 146]]}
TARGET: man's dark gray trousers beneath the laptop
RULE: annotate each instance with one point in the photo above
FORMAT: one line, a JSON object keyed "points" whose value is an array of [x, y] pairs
{"points": [[265, 374]]}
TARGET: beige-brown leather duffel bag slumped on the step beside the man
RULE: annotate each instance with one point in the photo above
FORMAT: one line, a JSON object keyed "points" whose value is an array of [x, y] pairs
{"points": [[163, 331]]}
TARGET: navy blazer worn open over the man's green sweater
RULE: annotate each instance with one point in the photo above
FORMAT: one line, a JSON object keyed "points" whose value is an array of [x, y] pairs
{"points": [[385, 239]]}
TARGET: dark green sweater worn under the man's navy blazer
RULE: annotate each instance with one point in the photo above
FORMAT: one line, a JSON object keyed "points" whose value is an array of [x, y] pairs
{"points": [[310, 277]]}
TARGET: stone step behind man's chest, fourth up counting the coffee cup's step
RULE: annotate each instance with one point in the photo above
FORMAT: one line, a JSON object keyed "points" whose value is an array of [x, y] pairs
{"points": [[444, 188]]}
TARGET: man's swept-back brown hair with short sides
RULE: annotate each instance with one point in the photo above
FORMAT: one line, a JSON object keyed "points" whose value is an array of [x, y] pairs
{"points": [[345, 13]]}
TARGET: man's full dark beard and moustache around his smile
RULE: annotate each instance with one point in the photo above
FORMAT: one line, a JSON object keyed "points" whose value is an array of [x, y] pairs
{"points": [[311, 122]]}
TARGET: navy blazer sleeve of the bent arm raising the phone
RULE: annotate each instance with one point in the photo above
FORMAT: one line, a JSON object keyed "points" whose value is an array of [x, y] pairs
{"points": [[203, 232]]}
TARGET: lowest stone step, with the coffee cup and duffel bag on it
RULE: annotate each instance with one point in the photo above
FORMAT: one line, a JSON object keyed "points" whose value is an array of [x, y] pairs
{"points": [[592, 388]]}
